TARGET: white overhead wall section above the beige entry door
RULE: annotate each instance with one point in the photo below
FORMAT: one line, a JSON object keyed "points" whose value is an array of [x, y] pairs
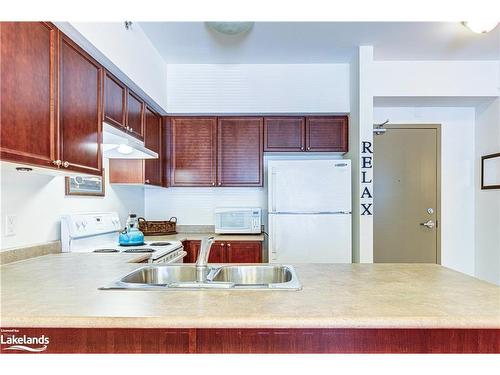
{"points": [[436, 78]]}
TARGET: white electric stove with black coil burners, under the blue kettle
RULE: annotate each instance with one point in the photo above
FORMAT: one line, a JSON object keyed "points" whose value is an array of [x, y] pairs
{"points": [[98, 233]]}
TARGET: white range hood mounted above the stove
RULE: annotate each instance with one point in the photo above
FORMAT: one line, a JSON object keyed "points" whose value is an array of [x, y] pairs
{"points": [[117, 144]]}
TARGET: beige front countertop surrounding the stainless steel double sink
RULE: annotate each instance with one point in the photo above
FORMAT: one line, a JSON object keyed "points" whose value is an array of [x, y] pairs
{"points": [[61, 290]]}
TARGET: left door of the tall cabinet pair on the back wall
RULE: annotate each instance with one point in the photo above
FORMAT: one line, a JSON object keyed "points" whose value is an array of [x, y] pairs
{"points": [[193, 151]]}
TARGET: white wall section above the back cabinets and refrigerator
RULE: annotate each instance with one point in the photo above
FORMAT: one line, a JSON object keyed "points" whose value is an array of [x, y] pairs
{"points": [[257, 88]]}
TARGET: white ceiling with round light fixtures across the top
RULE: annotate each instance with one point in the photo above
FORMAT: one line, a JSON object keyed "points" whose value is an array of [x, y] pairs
{"points": [[320, 42]]}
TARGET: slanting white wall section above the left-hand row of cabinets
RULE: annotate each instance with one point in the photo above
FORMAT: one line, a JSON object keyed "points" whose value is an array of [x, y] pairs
{"points": [[131, 51]]}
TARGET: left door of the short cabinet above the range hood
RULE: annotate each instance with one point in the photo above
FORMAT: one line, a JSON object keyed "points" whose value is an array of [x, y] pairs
{"points": [[114, 100]]}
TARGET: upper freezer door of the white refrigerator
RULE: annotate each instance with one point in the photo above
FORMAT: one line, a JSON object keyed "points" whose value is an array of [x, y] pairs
{"points": [[309, 185]]}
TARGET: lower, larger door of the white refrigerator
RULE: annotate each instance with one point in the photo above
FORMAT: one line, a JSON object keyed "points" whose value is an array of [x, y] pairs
{"points": [[305, 238]]}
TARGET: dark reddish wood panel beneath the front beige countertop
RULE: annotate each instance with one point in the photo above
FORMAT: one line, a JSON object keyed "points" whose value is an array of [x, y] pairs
{"points": [[126, 340]]}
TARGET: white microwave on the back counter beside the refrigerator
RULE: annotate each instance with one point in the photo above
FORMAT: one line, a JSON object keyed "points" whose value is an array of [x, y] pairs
{"points": [[238, 220]]}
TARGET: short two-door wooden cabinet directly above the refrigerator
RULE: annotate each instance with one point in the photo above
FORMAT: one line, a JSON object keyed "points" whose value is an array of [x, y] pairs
{"points": [[309, 134]]}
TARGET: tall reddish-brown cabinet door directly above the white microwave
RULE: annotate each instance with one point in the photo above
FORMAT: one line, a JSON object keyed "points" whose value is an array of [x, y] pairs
{"points": [[240, 150]]}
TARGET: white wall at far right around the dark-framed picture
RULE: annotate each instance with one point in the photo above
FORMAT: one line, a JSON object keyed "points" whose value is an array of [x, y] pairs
{"points": [[487, 214]]}
